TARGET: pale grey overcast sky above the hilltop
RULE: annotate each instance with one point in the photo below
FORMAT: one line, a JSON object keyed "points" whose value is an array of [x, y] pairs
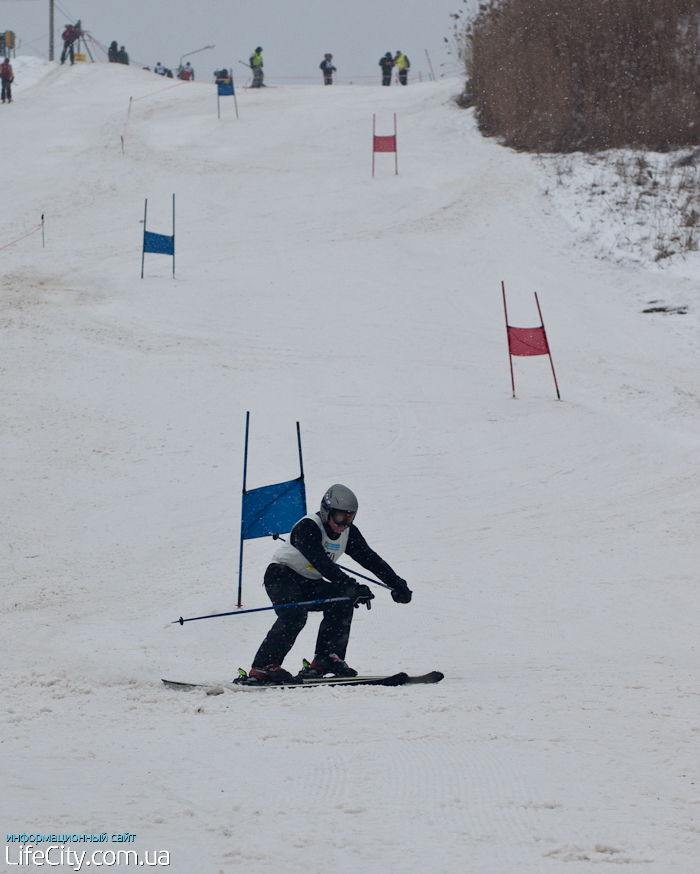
{"points": [[294, 34]]}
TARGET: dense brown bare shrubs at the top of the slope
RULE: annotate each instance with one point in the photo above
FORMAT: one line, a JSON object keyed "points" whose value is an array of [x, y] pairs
{"points": [[567, 75]]}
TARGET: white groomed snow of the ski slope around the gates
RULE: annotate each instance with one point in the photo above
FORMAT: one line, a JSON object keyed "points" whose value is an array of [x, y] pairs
{"points": [[552, 546]]}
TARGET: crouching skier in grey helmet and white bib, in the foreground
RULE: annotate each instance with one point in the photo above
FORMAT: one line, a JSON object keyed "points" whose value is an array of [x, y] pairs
{"points": [[303, 569]]}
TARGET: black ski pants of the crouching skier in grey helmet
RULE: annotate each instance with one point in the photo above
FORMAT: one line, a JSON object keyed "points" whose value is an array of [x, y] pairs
{"points": [[285, 586]]}
